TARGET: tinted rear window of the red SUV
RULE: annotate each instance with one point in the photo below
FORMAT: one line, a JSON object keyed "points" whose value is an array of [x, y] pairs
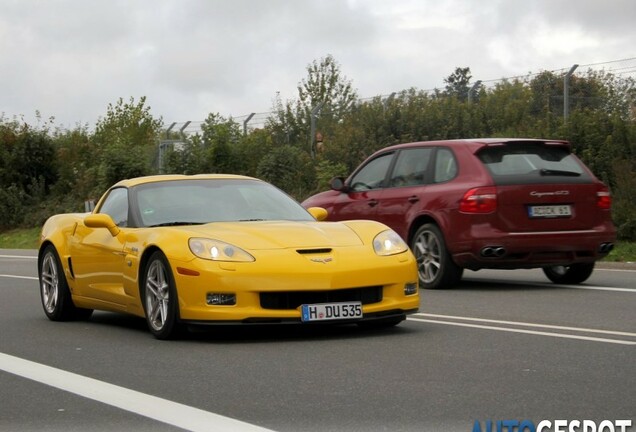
{"points": [[530, 162]]}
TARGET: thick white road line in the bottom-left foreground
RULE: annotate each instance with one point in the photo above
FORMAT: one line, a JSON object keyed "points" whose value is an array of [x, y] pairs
{"points": [[176, 414]]}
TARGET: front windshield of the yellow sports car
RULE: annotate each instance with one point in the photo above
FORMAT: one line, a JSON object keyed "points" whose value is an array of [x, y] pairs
{"points": [[198, 201]]}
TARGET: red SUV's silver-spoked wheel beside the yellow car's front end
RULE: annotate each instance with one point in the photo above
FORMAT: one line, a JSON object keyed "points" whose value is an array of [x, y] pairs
{"points": [[435, 267]]}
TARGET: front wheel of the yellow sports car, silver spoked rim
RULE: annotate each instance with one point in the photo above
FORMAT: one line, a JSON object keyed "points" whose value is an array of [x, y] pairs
{"points": [[160, 298]]}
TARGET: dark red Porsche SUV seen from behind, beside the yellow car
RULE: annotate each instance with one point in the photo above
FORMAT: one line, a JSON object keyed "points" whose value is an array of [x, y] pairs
{"points": [[482, 203]]}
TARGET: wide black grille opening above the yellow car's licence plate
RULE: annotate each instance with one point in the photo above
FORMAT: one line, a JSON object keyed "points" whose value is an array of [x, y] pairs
{"points": [[293, 299]]}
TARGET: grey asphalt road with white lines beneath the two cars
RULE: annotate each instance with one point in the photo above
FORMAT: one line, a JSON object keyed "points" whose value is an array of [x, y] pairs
{"points": [[504, 345]]}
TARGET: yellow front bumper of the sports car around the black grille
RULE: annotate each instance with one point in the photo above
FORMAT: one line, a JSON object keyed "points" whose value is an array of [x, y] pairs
{"points": [[345, 278]]}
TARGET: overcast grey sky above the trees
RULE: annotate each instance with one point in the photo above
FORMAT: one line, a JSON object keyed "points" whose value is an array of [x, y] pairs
{"points": [[70, 58]]}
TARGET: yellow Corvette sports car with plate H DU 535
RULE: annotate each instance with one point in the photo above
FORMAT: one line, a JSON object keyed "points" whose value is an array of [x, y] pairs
{"points": [[193, 250]]}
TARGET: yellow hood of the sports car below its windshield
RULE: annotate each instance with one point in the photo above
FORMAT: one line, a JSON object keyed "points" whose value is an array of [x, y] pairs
{"points": [[280, 234]]}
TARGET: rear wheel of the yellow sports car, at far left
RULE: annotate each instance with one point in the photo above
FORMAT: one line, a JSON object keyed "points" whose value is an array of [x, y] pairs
{"points": [[54, 291]]}
